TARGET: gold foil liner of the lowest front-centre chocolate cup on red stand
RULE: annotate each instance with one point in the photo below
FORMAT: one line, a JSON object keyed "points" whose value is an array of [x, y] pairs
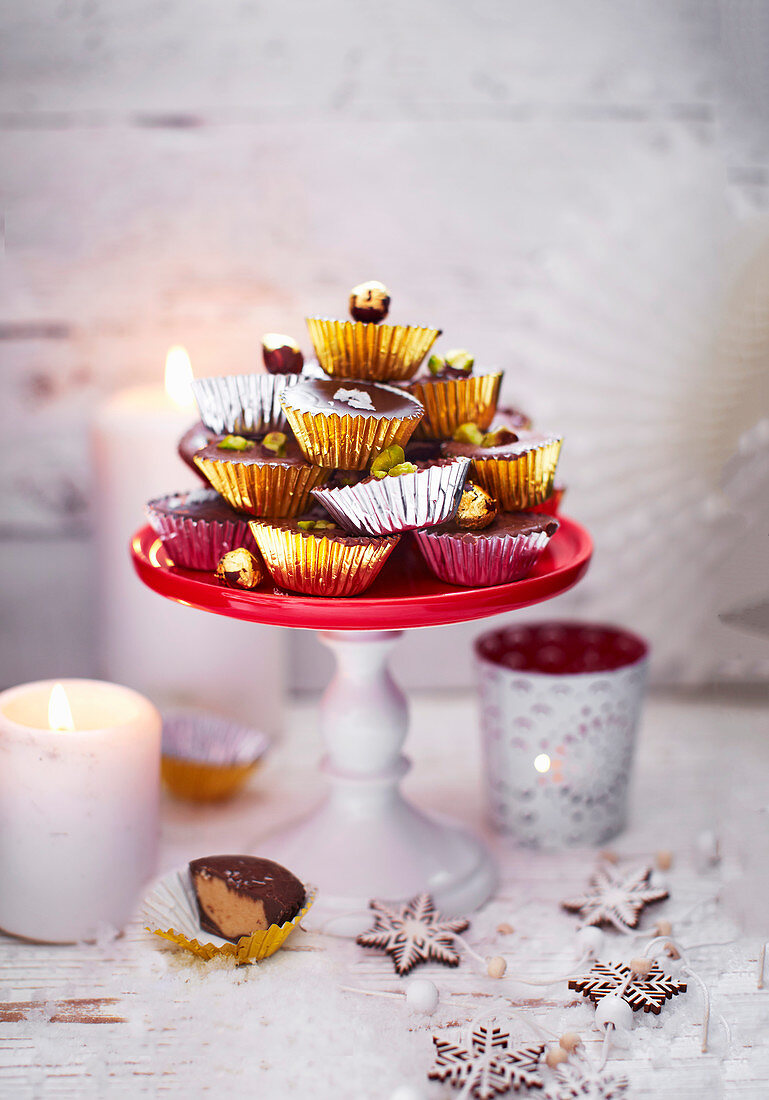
{"points": [[322, 566]]}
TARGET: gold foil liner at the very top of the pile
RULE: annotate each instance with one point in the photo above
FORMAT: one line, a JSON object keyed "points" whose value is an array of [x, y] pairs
{"points": [[376, 353]]}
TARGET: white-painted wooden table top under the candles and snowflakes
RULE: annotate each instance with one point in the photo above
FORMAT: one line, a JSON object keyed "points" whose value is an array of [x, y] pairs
{"points": [[129, 1018]]}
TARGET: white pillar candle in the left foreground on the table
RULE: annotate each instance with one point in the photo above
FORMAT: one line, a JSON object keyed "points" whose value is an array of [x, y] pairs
{"points": [[79, 809]]}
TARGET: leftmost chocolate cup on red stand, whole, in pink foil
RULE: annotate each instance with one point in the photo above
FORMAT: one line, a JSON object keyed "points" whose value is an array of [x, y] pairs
{"points": [[197, 527]]}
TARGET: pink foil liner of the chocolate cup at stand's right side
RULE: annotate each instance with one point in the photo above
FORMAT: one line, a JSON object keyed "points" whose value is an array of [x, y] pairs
{"points": [[479, 560]]}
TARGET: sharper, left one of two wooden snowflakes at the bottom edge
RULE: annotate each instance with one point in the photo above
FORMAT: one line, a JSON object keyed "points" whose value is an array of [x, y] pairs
{"points": [[491, 1065]]}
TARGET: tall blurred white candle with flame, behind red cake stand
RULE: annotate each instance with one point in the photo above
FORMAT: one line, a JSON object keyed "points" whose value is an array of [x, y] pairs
{"points": [[174, 655]]}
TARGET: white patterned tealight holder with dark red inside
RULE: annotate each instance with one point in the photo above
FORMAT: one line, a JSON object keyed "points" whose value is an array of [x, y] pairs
{"points": [[561, 706]]}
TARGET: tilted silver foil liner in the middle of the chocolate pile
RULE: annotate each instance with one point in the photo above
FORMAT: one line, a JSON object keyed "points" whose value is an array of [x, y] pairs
{"points": [[424, 499]]}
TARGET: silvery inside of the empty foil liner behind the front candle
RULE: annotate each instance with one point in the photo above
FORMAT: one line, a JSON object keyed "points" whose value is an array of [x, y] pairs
{"points": [[208, 739]]}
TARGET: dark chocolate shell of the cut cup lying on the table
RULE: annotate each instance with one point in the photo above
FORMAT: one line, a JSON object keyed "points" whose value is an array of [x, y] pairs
{"points": [[281, 894]]}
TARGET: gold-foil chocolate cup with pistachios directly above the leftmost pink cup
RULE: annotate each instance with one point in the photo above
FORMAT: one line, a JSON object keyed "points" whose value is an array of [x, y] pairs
{"points": [[260, 481]]}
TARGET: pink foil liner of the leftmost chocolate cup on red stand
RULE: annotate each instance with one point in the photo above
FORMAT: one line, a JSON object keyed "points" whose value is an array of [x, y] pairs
{"points": [[197, 544]]}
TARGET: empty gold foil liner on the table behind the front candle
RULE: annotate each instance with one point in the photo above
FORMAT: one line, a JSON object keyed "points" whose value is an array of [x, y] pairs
{"points": [[207, 758]]}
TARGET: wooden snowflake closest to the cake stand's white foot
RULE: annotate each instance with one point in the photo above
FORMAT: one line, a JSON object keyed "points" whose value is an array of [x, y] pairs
{"points": [[413, 933]]}
